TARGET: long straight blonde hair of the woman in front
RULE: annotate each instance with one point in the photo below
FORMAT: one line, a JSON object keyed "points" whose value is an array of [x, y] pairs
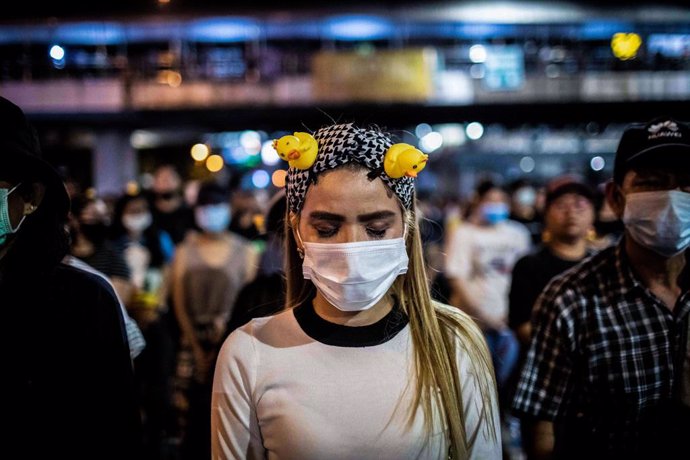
{"points": [[435, 331]]}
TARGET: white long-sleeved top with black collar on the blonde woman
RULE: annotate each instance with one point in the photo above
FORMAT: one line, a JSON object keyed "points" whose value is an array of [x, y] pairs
{"points": [[279, 393]]}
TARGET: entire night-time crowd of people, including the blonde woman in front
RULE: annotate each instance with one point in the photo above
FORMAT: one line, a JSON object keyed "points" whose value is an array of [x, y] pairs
{"points": [[355, 319]]}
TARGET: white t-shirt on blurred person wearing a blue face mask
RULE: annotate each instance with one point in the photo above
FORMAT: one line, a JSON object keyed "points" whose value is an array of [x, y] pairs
{"points": [[482, 258]]}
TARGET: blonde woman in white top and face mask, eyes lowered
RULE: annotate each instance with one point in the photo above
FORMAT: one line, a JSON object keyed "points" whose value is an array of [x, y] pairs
{"points": [[362, 363]]}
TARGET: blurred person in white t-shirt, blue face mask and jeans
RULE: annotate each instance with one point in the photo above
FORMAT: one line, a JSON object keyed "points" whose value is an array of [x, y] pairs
{"points": [[480, 256]]}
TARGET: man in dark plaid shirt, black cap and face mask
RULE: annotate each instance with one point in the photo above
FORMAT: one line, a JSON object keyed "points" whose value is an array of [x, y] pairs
{"points": [[607, 371]]}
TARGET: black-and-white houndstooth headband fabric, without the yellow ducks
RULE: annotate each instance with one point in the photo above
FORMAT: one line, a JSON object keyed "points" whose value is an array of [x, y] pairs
{"points": [[341, 144]]}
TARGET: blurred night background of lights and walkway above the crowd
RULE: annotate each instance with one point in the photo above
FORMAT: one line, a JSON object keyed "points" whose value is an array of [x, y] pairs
{"points": [[507, 89]]}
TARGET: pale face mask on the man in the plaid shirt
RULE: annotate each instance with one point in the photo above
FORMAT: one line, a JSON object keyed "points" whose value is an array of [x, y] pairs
{"points": [[659, 220]]}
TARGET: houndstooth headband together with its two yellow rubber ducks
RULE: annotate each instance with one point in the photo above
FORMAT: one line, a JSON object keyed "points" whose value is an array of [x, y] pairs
{"points": [[396, 164]]}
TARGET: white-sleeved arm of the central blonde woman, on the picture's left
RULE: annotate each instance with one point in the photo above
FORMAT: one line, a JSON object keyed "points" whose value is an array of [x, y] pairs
{"points": [[235, 432]]}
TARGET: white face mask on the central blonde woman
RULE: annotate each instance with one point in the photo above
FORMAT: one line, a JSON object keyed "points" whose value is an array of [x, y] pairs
{"points": [[354, 276]]}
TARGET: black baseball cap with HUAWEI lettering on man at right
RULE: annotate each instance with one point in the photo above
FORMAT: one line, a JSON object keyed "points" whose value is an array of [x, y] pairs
{"points": [[662, 141]]}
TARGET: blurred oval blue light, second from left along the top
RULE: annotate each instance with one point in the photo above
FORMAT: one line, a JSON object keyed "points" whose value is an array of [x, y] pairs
{"points": [[223, 30]]}
